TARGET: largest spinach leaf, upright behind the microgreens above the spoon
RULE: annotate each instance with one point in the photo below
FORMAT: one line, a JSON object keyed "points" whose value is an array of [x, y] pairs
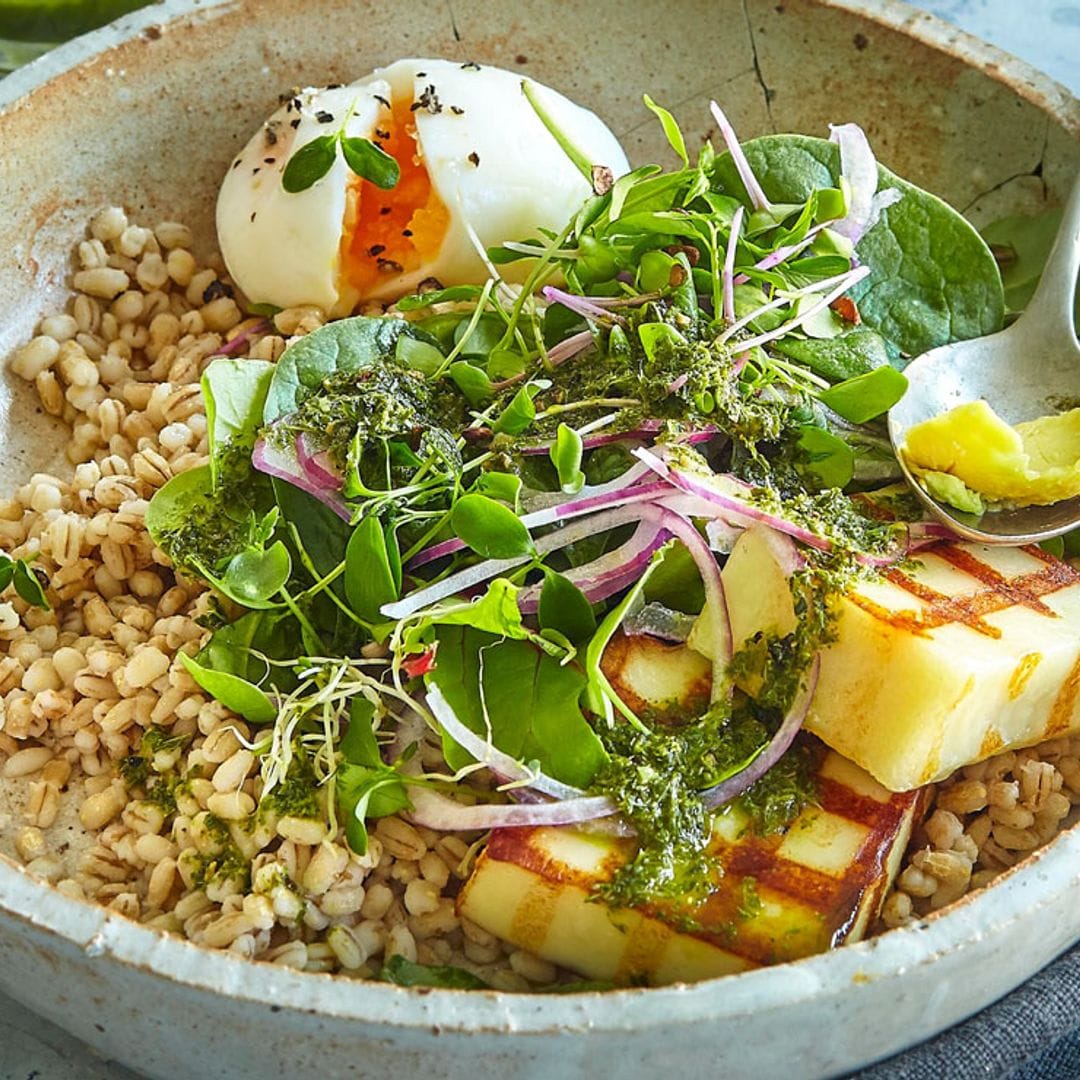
{"points": [[933, 278]]}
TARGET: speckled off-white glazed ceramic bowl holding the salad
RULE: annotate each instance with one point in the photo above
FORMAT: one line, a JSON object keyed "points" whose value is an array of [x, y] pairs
{"points": [[147, 114]]}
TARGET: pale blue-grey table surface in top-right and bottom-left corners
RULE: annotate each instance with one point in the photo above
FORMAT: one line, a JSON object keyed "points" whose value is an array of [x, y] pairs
{"points": [[1044, 33]]}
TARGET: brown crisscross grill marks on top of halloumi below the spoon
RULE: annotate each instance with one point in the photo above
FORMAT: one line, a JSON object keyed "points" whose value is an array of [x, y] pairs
{"points": [[1000, 593]]}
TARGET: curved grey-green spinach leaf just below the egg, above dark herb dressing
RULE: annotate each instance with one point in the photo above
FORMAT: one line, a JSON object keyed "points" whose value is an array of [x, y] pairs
{"points": [[347, 345]]}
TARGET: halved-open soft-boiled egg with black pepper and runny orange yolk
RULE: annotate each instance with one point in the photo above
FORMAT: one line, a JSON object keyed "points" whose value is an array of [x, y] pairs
{"points": [[474, 157]]}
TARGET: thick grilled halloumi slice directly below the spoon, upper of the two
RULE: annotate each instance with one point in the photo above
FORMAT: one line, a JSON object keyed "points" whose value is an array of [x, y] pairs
{"points": [[974, 652]]}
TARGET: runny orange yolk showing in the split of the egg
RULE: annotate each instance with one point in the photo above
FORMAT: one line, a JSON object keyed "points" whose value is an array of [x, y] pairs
{"points": [[390, 233]]}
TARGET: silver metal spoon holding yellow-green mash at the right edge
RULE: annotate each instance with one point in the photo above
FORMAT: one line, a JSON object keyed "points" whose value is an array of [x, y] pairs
{"points": [[1031, 370]]}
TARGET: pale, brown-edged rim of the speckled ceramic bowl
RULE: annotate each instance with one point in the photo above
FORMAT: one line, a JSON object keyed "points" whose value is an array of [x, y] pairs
{"points": [[1025, 889]]}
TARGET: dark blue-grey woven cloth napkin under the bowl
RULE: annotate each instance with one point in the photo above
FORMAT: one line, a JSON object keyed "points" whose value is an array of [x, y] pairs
{"points": [[1034, 1034]]}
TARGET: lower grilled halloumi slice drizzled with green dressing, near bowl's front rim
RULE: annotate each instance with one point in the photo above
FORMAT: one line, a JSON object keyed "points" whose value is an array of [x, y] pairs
{"points": [[780, 898]]}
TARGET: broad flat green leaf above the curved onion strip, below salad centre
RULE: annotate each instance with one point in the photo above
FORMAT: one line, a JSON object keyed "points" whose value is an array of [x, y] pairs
{"points": [[529, 699]]}
